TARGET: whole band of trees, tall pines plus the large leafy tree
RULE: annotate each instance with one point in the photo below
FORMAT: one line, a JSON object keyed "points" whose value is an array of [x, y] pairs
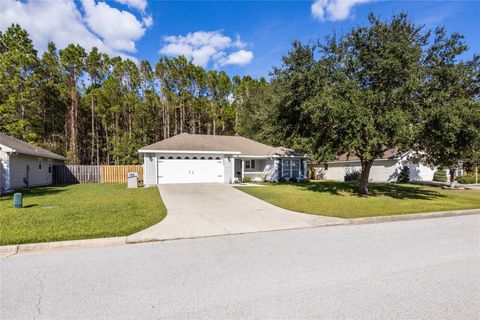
{"points": [[389, 83]]}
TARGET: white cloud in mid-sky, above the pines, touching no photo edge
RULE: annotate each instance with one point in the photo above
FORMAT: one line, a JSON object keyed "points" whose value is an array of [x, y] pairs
{"points": [[205, 46]]}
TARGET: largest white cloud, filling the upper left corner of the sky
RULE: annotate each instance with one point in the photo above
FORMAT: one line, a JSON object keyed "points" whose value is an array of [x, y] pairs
{"points": [[113, 31]]}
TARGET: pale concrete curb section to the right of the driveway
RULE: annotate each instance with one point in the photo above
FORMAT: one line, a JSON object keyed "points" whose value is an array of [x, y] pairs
{"points": [[413, 216]]}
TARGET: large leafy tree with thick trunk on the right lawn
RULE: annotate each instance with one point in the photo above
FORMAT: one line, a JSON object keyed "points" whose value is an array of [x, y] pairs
{"points": [[378, 87]]}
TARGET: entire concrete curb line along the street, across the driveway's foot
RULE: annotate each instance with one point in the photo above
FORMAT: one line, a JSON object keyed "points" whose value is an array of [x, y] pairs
{"points": [[10, 250]]}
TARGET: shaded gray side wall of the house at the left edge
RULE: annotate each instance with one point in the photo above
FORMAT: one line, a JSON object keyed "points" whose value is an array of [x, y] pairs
{"points": [[36, 177]]}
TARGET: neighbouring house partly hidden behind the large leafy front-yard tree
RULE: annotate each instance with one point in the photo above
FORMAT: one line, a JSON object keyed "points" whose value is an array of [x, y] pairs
{"points": [[385, 169]]}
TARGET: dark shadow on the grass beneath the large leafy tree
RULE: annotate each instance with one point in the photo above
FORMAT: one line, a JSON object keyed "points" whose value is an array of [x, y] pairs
{"points": [[392, 190]]}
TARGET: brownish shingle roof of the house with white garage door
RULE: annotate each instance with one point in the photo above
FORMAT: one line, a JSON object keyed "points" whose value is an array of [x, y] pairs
{"points": [[215, 143]]}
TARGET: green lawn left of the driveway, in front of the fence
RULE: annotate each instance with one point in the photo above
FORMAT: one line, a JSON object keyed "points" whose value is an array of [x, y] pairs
{"points": [[79, 211]]}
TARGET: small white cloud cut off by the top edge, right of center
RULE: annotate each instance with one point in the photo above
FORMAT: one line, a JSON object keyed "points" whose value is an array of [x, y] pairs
{"points": [[334, 9]]}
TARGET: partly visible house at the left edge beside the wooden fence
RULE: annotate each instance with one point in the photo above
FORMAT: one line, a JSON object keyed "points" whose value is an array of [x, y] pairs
{"points": [[24, 165]]}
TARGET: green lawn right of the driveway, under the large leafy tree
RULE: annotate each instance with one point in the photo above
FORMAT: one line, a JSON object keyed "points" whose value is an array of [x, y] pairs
{"points": [[339, 199]]}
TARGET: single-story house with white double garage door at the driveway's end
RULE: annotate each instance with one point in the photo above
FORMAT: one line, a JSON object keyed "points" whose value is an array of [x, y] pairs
{"points": [[192, 158]]}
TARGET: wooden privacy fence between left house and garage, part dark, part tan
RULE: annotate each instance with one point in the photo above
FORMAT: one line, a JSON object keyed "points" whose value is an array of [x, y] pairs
{"points": [[67, 174]]}
